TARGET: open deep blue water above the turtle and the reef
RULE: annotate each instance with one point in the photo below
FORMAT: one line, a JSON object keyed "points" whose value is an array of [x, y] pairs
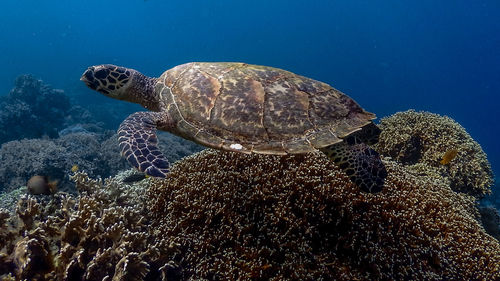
{"points": [[439, 56]]}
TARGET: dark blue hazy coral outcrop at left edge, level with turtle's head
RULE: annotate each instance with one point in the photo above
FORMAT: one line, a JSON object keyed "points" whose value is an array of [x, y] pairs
{"points": [[32, 109]]}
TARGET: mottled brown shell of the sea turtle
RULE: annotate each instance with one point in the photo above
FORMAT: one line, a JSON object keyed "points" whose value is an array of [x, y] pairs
{"points": [[251, 108]]}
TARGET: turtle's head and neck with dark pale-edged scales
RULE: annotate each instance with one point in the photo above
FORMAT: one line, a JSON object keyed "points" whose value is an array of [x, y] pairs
{"points": [[121, 83]]}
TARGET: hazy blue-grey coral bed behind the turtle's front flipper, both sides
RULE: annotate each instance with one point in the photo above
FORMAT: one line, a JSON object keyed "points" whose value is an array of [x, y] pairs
{"points": [[96, 154]]}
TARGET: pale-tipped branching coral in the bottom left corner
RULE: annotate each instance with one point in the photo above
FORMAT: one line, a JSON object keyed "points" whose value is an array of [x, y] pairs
{"points": [[103, 234]]}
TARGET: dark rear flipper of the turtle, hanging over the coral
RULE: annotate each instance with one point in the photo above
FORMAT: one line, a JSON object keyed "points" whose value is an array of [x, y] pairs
{"points": [[361, 163]]}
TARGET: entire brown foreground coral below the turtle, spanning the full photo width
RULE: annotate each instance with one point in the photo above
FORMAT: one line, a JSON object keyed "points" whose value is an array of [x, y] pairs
{"points": [[227, 216]]}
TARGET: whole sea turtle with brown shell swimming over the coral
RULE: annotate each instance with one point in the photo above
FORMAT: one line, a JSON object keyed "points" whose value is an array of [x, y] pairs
{"points": [[241, 107]]}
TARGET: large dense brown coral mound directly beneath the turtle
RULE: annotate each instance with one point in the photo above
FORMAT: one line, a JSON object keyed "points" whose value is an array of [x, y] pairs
{"points": [[258, 217]]}
